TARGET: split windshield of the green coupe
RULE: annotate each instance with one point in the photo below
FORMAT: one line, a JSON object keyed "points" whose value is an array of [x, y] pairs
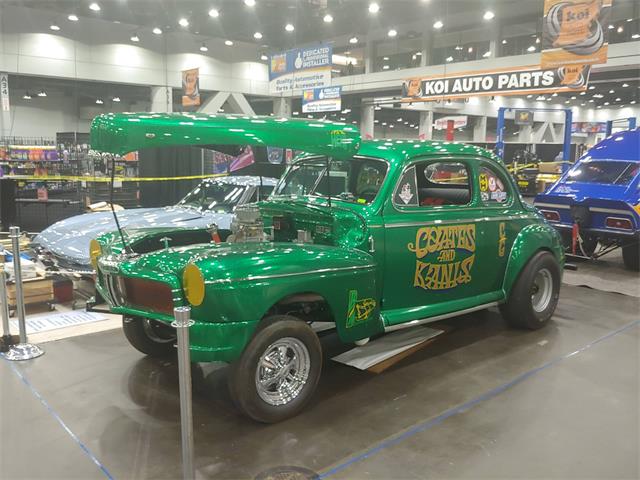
{"points": [[356, 180]]}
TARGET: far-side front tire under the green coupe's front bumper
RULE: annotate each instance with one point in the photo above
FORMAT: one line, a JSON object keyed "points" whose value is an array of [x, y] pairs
{"points": [[150, 337]]}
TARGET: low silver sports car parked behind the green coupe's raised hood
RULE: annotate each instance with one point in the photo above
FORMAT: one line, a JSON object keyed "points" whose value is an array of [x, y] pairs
{"points": [[211, 202]]}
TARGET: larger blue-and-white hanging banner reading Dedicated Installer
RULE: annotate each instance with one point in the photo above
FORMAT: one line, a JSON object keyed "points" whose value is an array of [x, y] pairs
{"points": [[300, 69]]}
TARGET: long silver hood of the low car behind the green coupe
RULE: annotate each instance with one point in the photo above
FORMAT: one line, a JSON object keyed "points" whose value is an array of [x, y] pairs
{"points": [[69, 239]]}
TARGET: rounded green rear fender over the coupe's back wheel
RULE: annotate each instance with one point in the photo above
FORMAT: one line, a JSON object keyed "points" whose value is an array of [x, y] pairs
{"points": [[530, 240]]}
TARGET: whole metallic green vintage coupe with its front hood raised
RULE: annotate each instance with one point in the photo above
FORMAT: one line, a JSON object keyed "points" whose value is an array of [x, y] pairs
{"points": [[373, 236]]}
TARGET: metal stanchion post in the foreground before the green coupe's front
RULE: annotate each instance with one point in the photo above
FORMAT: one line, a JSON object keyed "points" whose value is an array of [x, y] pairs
{"points": [[182, 322]]}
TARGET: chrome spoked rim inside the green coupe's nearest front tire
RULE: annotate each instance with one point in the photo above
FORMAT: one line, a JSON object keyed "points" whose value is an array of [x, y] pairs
{"points": [[283, 371]]}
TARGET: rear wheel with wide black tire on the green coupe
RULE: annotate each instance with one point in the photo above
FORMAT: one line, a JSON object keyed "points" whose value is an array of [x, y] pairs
{"points": [[534, 296]]}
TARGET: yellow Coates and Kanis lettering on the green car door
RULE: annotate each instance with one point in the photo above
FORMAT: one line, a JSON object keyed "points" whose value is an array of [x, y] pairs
{"points": [[444, 256]]}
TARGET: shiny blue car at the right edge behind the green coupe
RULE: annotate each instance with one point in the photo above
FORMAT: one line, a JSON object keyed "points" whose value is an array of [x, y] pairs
{"points": [[597, 202]]}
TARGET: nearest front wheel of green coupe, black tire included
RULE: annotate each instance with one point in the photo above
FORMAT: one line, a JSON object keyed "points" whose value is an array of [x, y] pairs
{"points": [[278, 371]]}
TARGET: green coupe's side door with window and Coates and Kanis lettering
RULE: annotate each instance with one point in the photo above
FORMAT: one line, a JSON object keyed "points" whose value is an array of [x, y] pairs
{"points": [[431, 228]]}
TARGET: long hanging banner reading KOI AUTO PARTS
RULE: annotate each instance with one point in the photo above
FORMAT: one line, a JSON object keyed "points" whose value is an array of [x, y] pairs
{"points": [[515, 81]]}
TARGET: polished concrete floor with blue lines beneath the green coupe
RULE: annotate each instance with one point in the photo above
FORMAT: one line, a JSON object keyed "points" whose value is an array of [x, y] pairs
{"points": [[484, 401]]}
